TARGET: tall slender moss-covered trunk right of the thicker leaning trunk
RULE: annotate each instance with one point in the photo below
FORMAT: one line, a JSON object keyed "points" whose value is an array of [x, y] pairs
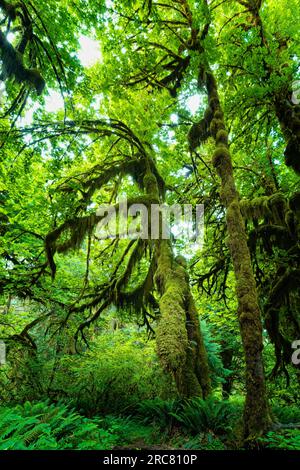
{"points": [[256, 412]]}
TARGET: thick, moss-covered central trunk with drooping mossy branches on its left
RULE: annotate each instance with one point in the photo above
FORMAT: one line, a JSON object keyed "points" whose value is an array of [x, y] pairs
{"points": [[178, 334]]}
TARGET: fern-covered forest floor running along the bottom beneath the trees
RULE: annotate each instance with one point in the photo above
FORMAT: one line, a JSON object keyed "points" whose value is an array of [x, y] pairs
{"points": [[159, 425]]}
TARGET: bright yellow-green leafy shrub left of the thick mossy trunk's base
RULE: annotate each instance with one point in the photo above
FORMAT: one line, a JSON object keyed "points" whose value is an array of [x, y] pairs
{"points": [[119, 370]]}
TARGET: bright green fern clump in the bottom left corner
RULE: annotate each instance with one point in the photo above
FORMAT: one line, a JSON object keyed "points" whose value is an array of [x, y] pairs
{"points": [[45, 426]]}
